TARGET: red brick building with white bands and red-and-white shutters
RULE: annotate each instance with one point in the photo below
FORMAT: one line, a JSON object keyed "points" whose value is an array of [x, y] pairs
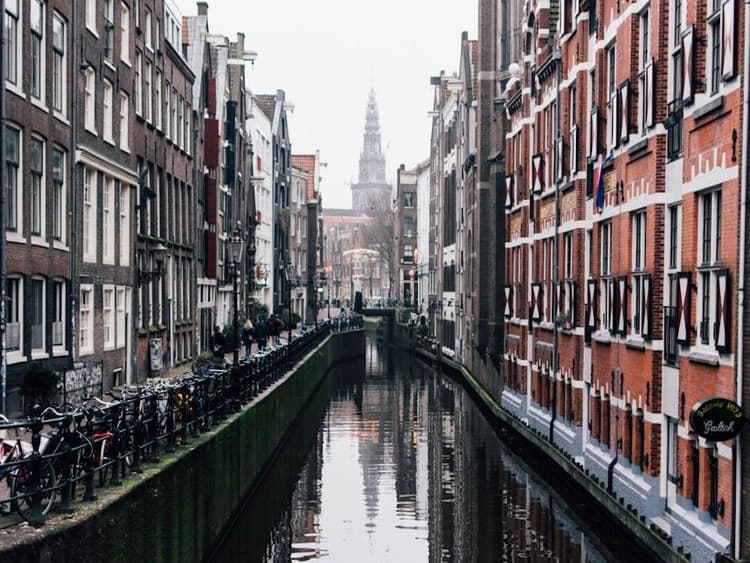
{"points": [[622, 258]]}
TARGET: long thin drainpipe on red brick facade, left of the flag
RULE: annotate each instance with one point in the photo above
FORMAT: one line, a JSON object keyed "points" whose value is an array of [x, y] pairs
{"points": [[557, 58]]}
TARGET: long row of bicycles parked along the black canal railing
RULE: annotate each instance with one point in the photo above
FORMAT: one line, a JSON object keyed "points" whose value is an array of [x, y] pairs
{"points": [[61, 455]]}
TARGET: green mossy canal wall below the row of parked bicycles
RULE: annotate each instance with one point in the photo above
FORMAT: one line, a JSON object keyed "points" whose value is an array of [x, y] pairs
{"points": [[178, 508]]}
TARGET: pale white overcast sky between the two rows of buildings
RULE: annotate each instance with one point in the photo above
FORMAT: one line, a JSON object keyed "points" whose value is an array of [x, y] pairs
{"points": [[327, 53]]}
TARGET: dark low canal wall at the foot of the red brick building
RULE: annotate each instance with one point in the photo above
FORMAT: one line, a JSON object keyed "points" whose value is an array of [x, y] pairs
{"points": [[554, 464]]}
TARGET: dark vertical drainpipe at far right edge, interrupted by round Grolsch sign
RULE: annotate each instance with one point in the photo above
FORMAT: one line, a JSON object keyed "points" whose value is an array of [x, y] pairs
{"points": [[737, 449]]}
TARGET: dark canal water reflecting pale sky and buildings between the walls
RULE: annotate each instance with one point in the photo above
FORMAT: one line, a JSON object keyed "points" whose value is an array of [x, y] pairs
{"points": [[393, 461]]}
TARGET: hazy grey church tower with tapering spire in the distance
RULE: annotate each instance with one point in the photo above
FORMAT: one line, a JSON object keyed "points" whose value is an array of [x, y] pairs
{"points": [[371, 192]]}
